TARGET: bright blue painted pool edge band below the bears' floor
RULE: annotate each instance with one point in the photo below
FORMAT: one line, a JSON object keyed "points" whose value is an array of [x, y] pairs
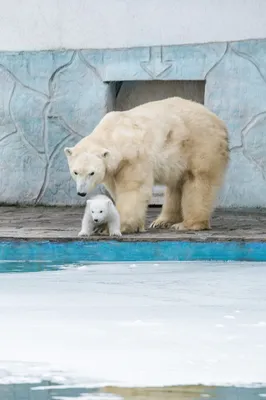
{"points": [[116, 251]]}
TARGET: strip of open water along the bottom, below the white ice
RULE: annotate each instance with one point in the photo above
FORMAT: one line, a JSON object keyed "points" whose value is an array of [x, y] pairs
{"points": [[48, 392]]}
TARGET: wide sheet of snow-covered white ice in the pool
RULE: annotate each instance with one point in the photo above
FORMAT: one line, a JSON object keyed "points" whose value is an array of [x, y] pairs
{"points": [[147, 325]]}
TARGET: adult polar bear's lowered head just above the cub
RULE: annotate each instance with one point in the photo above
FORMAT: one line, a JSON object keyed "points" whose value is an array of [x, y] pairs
{"points": [[87, 169]]}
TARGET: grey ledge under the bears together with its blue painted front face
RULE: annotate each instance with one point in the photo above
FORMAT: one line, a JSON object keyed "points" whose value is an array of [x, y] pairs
{"points": [[33, 237]]}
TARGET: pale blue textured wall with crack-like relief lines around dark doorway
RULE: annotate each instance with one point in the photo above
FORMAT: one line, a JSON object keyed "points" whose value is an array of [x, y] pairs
{"points": [[49, 100]]}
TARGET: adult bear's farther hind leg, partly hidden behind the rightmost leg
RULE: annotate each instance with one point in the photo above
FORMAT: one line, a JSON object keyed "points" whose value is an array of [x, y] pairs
{"points": [[171, 210]]}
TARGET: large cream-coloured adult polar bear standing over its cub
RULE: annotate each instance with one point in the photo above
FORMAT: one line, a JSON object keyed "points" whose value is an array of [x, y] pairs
{"points": [[173, 142]]}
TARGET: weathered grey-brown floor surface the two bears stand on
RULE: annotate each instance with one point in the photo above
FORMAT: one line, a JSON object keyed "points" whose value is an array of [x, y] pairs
{"points": [[63, 223]]}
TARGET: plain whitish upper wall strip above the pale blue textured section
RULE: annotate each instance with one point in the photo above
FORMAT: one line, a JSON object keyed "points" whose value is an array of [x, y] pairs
{"points": [[101, 24]]}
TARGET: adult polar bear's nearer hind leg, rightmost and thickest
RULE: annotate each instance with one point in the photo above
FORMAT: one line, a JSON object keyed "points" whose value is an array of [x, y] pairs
{"points": [[198, 195]]}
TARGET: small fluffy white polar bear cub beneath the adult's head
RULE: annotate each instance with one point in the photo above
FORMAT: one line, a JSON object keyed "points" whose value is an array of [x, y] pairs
{"points": [[100, 210]]}
